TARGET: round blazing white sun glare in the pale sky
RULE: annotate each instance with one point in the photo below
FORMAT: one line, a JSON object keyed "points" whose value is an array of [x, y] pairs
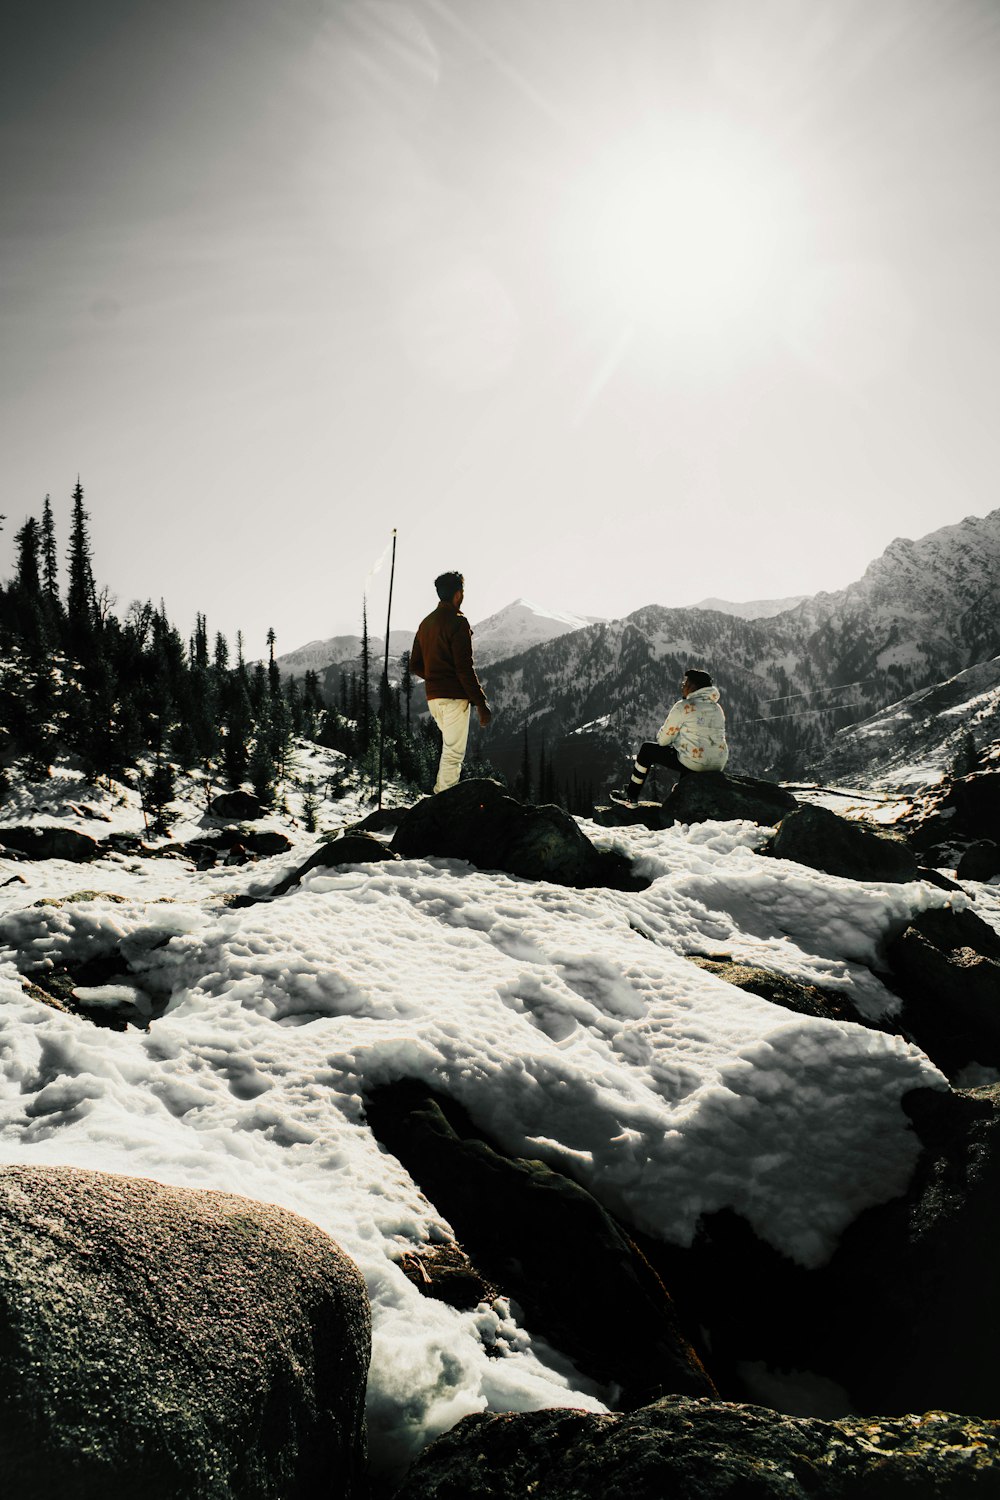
{"points": [[681, 233]]}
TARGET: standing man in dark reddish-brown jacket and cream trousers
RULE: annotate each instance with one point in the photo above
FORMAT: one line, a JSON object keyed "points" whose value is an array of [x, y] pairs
{"points": [[443, 656]]}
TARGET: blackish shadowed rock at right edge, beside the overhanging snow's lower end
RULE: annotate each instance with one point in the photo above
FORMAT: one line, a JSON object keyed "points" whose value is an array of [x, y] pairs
{"points": [[915, 1282]]}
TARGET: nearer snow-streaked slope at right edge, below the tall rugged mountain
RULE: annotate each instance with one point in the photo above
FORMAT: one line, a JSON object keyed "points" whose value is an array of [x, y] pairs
{"points": [[915, 742]]}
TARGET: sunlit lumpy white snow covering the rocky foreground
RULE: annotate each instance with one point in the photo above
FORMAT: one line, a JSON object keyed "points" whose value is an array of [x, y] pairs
{"points": [[570, 1025]]}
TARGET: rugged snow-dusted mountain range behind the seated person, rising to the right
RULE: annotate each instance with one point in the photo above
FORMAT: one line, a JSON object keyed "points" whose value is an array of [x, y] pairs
{"points": [[921, 613]]}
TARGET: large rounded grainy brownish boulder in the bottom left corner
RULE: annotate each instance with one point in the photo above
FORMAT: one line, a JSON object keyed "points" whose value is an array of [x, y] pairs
{"points": [[167, 1345]]}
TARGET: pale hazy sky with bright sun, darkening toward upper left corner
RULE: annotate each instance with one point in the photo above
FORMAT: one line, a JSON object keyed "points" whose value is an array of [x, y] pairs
{"points": [[603, 302]]}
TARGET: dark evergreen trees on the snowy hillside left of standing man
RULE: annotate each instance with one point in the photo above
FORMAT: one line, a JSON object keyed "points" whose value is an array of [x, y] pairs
{"points": [[131, 697]]}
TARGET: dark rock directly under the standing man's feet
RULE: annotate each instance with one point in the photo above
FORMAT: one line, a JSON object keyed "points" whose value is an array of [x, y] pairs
{"points": [[482, 823]]}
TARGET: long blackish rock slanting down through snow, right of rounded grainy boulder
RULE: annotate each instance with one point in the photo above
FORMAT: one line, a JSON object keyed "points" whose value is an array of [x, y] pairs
{"points": [[545, 1241]]}
